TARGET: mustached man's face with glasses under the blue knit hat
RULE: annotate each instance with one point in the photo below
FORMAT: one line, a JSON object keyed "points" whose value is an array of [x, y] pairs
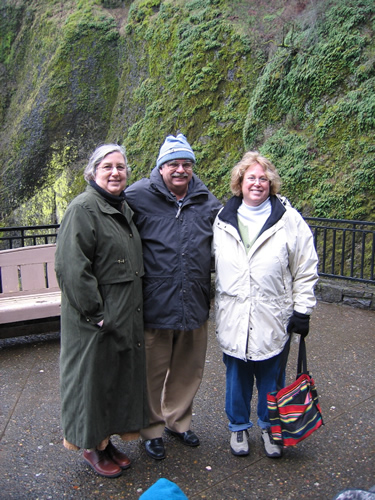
{"points": [[177, 174]]}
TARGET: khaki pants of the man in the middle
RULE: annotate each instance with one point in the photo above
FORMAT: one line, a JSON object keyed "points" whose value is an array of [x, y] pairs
{"points": [[175, 363]]}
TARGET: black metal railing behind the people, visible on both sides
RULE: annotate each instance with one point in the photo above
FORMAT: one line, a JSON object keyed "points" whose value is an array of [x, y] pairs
{"points": [[346, 248]]}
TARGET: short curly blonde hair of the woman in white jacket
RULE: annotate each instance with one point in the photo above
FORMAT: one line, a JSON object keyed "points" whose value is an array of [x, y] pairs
{"points": [[248, 160]]}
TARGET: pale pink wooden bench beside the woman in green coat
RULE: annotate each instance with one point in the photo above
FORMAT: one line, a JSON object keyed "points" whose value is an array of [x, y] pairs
{"points": [[29, 294]]}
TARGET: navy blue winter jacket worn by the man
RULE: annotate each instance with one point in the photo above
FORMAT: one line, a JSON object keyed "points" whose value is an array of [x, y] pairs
{"points": [[176, 251]]}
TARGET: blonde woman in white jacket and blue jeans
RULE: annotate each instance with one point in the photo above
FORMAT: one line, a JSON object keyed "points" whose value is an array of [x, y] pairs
{"points": [[266, 269]]}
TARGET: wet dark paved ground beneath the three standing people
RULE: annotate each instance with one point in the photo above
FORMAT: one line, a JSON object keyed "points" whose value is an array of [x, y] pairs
{"points": [[341, 352]]}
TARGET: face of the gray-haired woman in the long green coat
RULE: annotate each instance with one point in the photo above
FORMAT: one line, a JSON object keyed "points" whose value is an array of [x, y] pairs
{"points": [[111, 173]]}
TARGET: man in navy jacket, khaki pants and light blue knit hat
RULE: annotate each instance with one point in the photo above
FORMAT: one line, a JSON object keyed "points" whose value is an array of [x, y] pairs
{"points": [[174, 214]]}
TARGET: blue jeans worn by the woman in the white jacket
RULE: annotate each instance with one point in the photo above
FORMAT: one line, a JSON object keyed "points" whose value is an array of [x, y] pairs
{"points": [[239, 389]]}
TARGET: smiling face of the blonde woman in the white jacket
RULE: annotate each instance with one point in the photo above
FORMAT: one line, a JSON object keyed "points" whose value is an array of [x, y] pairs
{"points": [[255, 185]]}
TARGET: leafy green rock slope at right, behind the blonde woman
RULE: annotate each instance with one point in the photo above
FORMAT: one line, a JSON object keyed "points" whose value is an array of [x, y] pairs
{"points": [[313, 113]]}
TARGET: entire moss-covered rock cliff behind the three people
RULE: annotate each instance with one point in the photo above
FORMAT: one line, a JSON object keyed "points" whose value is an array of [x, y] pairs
{"points": [[294, 81]]}
